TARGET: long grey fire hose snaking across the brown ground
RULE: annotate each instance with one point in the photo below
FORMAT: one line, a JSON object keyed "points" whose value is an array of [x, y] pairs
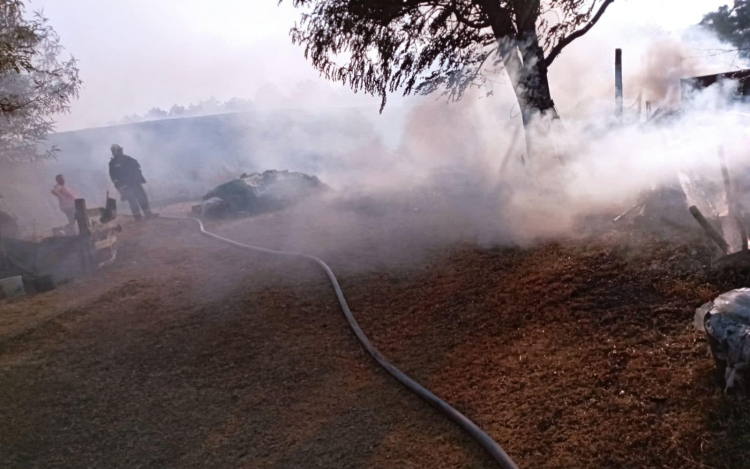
{"points": [[457, 417]]}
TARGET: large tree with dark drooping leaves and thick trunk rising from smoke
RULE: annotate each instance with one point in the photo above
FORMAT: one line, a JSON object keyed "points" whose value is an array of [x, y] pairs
{"points": [[425, 45]]}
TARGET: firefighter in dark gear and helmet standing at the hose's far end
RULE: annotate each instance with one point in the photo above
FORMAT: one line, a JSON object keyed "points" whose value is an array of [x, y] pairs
{"points": [[128, 179]]}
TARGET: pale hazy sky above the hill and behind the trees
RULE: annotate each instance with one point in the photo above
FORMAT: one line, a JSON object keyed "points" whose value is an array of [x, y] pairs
{"points": [[138, 54]]}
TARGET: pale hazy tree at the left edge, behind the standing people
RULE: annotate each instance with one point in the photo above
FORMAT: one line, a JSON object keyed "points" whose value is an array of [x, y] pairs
{"points": [[35, 84]]}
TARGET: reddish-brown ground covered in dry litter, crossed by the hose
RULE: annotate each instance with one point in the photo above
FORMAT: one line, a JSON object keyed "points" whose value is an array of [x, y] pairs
{"points": [[188, 353]]}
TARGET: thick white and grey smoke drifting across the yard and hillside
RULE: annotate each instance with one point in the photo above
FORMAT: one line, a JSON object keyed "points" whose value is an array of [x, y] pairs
{"points": [[428, 173]]}
